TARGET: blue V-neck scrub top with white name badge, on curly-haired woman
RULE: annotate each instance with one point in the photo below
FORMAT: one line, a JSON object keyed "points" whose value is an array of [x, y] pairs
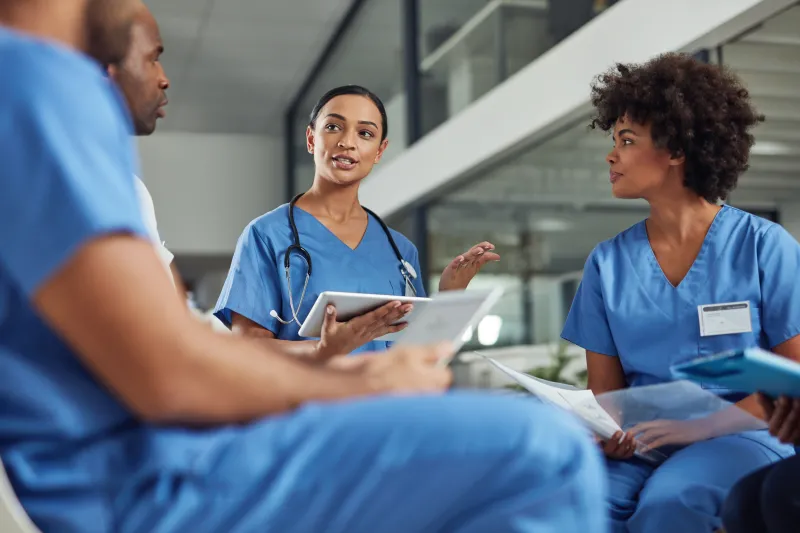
{"points": [[625, 307]]}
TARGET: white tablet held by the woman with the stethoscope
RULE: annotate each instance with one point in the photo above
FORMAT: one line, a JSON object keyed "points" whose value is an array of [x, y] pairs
{"points": [[350, 305]]}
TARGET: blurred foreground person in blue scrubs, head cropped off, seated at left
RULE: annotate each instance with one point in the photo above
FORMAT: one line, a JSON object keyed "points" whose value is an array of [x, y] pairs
{"points": [[120, 412]]}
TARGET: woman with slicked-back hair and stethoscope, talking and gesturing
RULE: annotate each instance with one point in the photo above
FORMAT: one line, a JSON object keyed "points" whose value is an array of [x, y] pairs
{"points": [[329, 242]]}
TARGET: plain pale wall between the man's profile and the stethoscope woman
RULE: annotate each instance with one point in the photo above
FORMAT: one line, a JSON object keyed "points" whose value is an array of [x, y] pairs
{"points": [[207, 187]]}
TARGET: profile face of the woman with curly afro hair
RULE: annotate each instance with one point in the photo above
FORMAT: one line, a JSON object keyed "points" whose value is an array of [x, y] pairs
{"points": [[638, 167]]}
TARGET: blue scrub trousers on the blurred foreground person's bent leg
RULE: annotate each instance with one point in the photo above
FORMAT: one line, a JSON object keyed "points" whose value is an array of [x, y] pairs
{"points": [[463, 462]]}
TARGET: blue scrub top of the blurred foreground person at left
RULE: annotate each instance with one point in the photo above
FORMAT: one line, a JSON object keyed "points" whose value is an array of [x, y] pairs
{"points": [[66, 178]]}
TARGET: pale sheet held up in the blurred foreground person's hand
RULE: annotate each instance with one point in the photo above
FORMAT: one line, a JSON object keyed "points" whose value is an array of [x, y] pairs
{"points": [[448, 317]]}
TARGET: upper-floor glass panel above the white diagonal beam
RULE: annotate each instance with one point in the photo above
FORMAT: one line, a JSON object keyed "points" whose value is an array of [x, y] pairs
{"points": [[468, 47]]}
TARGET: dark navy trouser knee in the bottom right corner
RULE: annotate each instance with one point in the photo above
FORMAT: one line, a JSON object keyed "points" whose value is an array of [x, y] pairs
{"points": [[767, 501]]}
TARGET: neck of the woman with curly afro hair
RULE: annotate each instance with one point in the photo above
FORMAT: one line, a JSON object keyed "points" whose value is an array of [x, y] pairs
{"points": [[681, 217]]}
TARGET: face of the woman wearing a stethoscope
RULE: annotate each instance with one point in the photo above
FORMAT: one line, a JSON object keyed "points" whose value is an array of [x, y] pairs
{"points": [[346, 139]]}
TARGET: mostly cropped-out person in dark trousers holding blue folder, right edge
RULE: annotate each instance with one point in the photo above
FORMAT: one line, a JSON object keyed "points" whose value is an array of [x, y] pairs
{"points": [[768, 500]]}
